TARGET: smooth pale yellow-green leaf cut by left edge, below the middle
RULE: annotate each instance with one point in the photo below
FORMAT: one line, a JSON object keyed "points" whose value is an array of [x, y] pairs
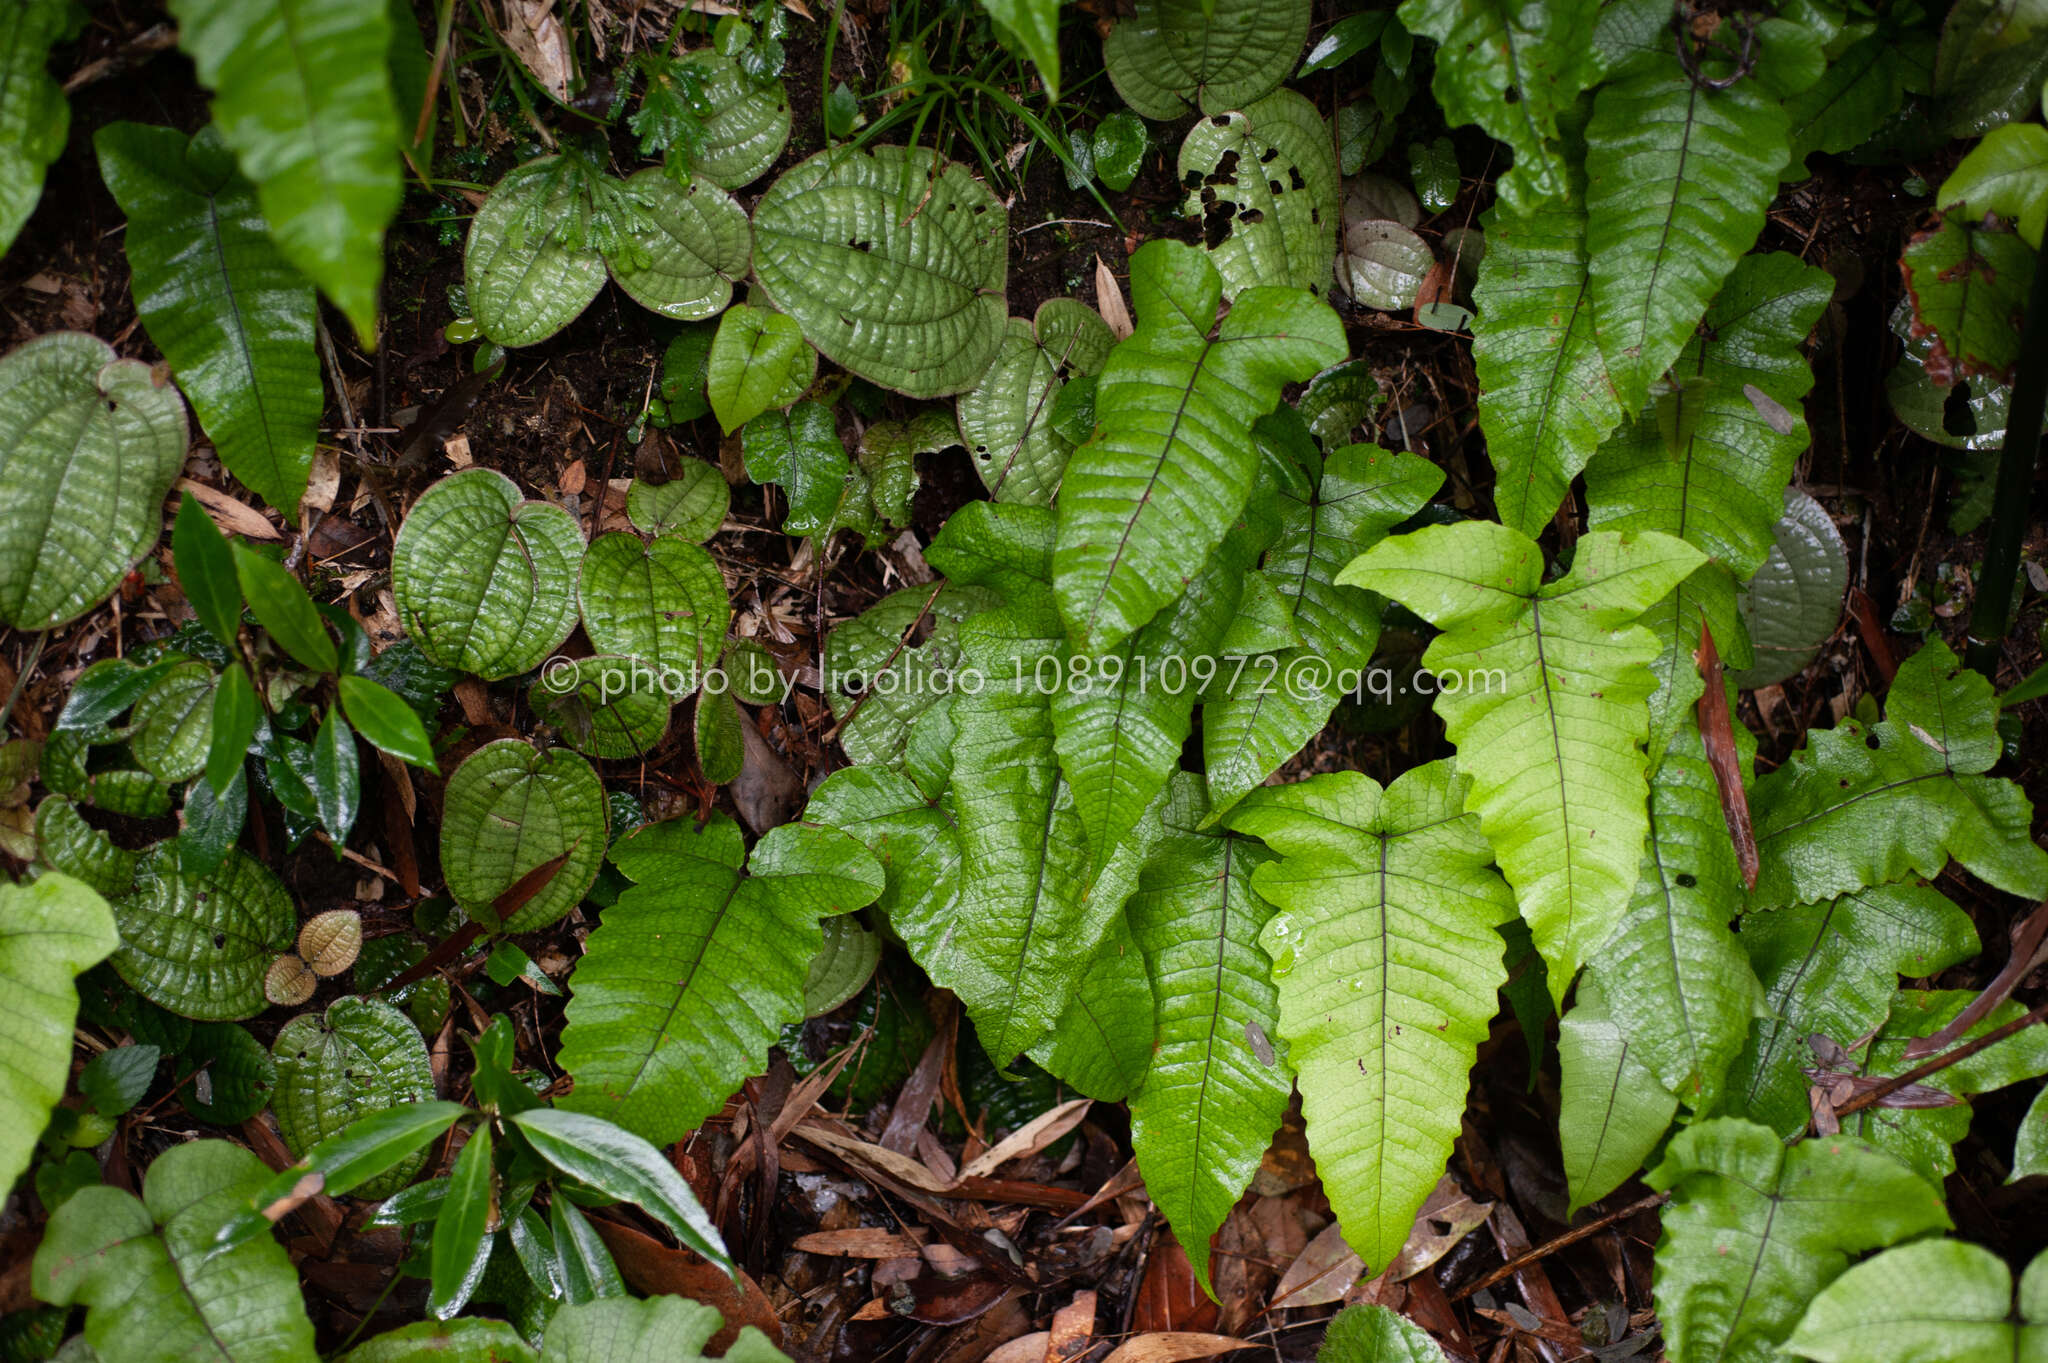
{"points": [[52, 930]]}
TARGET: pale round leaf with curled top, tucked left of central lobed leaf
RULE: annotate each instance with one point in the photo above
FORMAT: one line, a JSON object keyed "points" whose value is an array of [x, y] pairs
{"points": [[1007, 421]]}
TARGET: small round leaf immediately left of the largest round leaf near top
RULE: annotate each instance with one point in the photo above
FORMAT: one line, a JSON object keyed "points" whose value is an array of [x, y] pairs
{"points": [[695, 253]]}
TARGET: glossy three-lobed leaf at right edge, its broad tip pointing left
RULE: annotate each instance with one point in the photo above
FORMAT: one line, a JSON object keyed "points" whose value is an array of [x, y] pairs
{"points": [[1863, 807]]}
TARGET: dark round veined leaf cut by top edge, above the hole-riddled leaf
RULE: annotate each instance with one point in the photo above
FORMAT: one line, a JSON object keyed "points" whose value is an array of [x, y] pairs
{"points": [[1175, 58]]}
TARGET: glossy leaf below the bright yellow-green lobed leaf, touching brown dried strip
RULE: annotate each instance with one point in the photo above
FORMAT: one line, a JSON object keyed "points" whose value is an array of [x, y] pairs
{"points": [[1676, 981]]}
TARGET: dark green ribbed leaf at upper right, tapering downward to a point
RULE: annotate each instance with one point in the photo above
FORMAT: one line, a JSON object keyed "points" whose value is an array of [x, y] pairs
{"points": [[1678, 179]]}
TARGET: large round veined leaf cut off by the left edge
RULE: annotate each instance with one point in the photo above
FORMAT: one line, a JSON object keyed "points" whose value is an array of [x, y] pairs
{"points": [[89, 447]]}
